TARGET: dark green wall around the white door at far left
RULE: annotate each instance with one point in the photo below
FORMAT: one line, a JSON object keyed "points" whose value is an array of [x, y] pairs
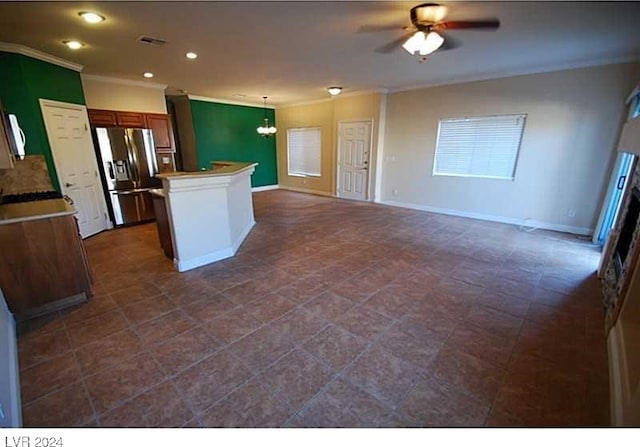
{"points": [[23, 81]]}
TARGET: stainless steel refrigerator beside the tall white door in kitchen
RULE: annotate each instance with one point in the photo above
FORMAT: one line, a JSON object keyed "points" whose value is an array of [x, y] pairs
{"points": [[129, 167]]}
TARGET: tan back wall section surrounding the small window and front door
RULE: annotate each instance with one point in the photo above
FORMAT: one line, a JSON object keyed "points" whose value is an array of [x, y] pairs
{"points": [[326, 115]]}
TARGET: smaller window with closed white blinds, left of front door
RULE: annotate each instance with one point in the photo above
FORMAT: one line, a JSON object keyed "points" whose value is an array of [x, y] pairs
{"points": [[304, 151]]}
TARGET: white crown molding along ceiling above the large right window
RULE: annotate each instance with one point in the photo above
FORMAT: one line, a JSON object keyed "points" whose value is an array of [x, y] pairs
{"points": [[520, 72]]}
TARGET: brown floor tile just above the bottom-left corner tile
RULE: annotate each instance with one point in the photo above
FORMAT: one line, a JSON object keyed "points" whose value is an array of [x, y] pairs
{"points": [[48, 376]]}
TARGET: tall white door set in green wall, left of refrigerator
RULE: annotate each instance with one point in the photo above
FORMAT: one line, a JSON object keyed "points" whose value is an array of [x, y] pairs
{"points": [[75, 160]]}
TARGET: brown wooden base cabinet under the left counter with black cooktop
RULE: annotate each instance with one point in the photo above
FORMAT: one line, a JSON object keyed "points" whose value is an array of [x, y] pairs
{"points": [[43, 265]]}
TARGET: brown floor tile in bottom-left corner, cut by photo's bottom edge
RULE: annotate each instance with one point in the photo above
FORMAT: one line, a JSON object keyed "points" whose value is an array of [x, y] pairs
{"points": [[66, 407]]}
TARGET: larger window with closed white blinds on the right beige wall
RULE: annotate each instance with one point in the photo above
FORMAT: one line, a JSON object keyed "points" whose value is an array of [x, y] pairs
{"points": [[479, 147]]}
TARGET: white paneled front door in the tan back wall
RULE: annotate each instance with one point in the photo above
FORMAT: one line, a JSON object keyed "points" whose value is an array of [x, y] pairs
{"points": [[354, 147]]}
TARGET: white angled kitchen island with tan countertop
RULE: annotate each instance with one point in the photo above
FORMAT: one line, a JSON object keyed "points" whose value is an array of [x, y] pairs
{"points": [[209, 213]]}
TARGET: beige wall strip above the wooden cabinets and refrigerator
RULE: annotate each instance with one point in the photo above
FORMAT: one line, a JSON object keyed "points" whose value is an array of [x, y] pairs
{"points": [[102, 93]]}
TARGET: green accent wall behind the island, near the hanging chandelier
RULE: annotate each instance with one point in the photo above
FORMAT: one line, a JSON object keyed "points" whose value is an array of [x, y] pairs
{"points": [[228, 132]]}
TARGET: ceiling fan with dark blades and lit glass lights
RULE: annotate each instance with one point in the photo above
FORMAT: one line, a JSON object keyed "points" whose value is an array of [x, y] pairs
{"points": [[426, 32]]}
